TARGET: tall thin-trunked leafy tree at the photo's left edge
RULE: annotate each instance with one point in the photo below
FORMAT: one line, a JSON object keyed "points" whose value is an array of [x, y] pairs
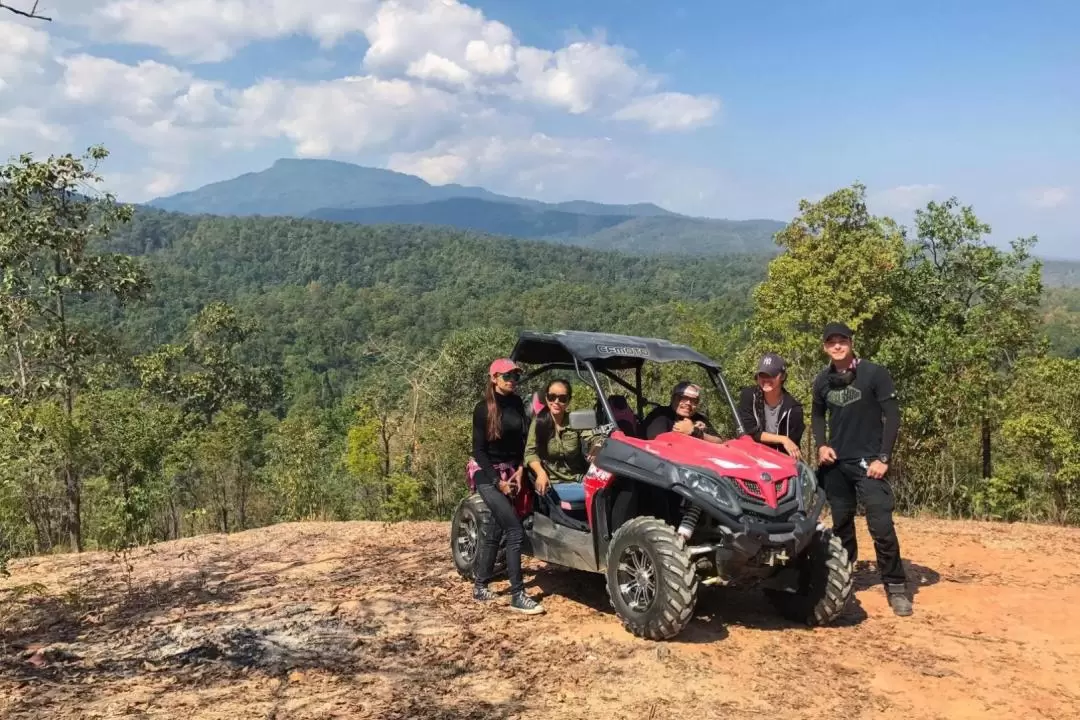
{"points": [[48, 226]]}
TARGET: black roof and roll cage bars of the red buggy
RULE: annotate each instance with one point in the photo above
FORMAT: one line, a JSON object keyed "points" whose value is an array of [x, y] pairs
{"points": [[564, 351]]}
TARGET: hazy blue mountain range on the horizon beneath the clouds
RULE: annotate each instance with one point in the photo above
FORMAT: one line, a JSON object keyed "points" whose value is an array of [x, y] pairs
{"points": [[344, 193]]}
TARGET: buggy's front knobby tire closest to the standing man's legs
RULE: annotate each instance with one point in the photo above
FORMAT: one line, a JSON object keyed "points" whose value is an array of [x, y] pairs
{"points": [[826, 585]]}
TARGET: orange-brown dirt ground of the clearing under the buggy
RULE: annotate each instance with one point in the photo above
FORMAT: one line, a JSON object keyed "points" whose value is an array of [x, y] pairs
{"points": [[370, 621]]}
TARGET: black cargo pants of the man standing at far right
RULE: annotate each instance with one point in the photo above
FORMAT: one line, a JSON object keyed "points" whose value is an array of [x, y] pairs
{"points": [[846, 482]]}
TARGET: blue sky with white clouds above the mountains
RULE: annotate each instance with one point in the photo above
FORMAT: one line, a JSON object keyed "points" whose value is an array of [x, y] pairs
{"points": [[710, 108]]}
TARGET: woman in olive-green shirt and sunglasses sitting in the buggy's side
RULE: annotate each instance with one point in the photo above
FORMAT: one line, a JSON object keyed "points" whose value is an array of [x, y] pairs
{"points": [[553, 450]]}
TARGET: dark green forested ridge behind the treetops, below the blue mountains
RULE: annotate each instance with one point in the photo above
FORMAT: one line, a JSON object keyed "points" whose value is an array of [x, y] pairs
{"points": [[409, 284]]}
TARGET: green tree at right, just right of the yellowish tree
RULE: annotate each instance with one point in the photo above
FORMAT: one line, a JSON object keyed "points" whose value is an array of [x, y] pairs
{"points": [[966, 313]]}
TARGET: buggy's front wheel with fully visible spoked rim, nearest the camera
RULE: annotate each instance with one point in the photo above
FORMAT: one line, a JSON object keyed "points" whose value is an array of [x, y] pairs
{"points": [[643, 546]]}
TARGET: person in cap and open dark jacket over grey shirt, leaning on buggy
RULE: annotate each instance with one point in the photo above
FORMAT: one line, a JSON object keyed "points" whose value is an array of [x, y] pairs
{"points": [[772, 410]]}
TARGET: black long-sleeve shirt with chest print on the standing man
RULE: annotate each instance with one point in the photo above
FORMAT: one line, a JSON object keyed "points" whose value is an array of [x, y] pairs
{"points": [[863, 417]]}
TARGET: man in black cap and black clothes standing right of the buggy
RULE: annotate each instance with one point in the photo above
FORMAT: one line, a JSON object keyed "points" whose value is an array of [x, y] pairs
{"points": [[863, 414]]}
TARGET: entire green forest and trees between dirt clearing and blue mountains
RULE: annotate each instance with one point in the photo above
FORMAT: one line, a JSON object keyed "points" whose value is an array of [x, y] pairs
{"points": [[164, 375]]}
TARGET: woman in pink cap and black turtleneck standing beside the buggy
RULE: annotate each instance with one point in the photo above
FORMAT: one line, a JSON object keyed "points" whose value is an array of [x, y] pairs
{"points": [[499, 430]]}
